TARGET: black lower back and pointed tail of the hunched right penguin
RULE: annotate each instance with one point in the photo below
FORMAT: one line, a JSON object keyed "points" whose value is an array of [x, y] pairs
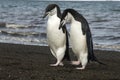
{"points": [[91, 56]]}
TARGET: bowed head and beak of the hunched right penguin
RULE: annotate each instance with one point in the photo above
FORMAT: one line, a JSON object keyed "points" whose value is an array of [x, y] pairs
{"points": [[66, 17]]}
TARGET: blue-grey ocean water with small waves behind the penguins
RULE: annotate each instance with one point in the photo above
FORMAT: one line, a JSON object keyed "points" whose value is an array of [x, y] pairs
{"points": [[23, 23]]}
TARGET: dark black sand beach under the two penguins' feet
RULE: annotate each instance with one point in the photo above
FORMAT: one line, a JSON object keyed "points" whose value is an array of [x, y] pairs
{"points": [[20, 62]]}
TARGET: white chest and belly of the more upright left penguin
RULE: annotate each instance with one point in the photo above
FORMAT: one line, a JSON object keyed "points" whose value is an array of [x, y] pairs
{"points": [[56, 38]]}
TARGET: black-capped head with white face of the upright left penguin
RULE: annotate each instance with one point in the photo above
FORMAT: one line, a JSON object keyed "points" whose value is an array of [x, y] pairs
{"points": [[51, 10]]}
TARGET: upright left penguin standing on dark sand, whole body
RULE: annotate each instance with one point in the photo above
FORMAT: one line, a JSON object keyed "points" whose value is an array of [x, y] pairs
{"points": [[57, 39]]}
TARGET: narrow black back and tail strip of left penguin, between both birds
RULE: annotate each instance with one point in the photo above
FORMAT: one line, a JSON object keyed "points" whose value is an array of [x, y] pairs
{"points": [[67, 55]]}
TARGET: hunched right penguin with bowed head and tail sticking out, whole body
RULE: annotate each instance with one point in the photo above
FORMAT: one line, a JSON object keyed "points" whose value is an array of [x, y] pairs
{"points": [[80, 36]]}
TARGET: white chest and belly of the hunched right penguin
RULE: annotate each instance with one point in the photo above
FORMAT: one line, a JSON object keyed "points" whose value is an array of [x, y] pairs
{"points": [[78, 40]]}
